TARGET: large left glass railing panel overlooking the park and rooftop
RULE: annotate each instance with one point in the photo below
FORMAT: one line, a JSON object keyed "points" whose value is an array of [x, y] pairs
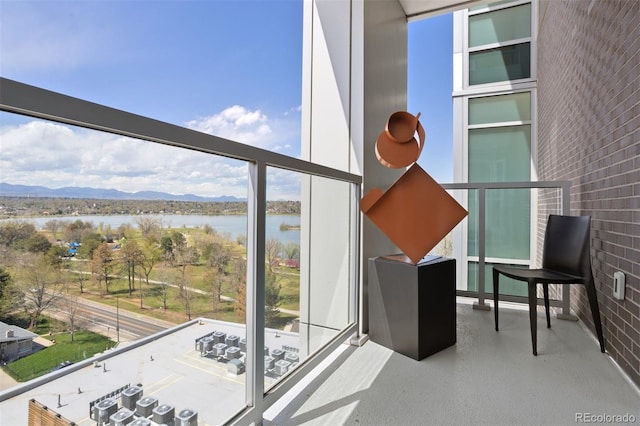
{"points": [[128, 239]]}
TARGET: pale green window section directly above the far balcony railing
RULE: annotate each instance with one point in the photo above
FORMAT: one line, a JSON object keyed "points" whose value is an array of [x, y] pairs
{"points": [[500, 154]]}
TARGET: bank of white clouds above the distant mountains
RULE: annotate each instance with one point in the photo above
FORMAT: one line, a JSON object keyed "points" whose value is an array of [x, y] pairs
{"points": [[54, 155]]}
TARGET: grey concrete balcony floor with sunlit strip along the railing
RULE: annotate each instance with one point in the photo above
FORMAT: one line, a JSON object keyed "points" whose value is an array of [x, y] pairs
{"points": [[487, 378]]}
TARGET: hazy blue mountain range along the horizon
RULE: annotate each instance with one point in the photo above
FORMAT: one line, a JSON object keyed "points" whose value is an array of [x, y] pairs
{"points": [[9, 190]]}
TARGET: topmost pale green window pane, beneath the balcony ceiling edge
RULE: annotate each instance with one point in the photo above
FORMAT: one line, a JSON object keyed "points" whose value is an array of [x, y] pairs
{"points": [[500, 26]]}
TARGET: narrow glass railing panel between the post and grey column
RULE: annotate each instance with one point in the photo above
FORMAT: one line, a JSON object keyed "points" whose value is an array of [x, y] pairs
{"points": [[309, 265]]}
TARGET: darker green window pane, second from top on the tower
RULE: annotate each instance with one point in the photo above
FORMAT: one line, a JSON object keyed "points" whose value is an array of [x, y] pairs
{"points": [[501, 64]]}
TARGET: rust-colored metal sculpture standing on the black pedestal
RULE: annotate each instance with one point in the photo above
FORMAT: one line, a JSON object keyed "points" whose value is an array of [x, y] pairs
{"points": [[415, 212]]}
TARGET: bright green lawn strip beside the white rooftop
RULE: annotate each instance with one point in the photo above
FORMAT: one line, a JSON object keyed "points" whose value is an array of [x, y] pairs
{"points": [[86, 345]]}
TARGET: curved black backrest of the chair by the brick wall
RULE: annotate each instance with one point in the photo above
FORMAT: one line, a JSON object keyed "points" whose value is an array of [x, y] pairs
{"points": [[566, 245]]}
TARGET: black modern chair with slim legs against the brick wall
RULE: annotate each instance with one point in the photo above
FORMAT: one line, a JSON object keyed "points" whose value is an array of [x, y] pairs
{"points": [[565, 260]]}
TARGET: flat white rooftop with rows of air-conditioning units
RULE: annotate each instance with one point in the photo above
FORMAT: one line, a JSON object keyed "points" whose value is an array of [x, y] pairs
{"points": [[168, 366]]}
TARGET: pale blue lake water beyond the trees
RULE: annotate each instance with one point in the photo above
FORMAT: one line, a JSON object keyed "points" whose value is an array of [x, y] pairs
{"points": [[234, 225]]}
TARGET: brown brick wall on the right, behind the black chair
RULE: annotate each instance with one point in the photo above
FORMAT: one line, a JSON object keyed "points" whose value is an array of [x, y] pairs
{"points": [[589, 134]]}
